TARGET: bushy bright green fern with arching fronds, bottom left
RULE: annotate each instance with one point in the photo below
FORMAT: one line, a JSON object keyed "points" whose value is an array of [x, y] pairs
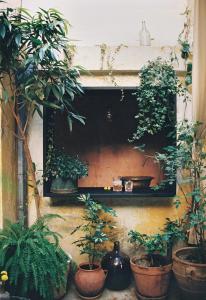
{"points": [[33, 258]]}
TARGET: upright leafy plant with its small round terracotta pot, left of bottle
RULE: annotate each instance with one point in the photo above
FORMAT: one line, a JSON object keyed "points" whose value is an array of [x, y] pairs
{"points": [[96, 229]]}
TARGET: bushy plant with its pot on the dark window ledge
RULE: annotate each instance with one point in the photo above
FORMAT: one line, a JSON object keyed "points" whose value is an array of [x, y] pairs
{"points": [[63, 171]]}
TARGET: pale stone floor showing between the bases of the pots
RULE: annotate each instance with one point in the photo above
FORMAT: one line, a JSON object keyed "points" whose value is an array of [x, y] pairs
{"points": [[128, 294]]}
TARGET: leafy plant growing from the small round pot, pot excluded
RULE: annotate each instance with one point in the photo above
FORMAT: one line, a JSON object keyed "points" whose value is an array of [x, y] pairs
{"points": [[96, 229]]}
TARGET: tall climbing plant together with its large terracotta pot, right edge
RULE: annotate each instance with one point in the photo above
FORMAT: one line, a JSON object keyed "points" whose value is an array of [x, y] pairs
{"points": [[188, 159]]}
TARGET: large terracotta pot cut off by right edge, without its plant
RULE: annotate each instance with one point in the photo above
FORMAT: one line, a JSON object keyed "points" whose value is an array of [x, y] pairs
{"points": [[191, 277]]}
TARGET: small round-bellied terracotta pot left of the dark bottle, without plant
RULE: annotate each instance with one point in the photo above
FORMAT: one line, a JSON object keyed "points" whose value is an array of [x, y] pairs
{"points": [[90, 283]]}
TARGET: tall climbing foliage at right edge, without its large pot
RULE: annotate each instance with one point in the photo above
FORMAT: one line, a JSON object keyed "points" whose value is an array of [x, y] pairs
{"points": [[186, 164]]}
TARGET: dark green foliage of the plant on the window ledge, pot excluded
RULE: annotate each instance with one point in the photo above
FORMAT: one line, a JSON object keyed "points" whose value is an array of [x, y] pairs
{"points": [[60, 164]]}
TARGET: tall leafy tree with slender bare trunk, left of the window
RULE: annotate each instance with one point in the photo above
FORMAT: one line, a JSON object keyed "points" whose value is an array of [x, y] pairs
{"points": [[34, 71]]}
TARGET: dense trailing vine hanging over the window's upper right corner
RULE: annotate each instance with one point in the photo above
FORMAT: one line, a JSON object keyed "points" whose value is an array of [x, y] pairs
{"points": [[156, 98]]}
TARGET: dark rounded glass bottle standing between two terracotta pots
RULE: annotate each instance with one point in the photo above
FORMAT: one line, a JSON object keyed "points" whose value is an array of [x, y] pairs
{"points": [[118, 265]]}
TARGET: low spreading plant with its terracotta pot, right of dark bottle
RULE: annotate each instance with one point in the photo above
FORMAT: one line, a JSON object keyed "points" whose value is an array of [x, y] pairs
{"points": [[152, 270]]}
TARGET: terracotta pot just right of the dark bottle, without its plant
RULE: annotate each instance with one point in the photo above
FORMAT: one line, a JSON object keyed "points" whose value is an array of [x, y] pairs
{"points": [[151, 282]]}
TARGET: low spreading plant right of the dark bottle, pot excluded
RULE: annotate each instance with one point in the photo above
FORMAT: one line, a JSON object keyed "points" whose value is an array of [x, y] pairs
{"points": [[159, 244]]}
